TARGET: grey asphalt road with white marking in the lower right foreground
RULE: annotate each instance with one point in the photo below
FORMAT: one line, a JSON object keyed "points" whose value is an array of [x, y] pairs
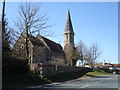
{"points": [[110, 81]]}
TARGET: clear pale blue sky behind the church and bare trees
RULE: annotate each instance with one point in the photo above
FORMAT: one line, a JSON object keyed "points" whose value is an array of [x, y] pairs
{"points": [[93, 23]]}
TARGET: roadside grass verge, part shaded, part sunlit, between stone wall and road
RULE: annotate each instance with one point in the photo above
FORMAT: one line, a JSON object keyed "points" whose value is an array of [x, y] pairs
{"points": [[77, 75]]}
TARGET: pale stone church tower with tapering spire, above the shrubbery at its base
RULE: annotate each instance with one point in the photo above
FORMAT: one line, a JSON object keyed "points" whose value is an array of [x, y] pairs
{"points": [[68, 34]]}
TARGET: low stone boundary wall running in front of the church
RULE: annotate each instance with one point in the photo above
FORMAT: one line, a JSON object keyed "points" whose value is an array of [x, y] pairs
{"points": [[44, 70]]}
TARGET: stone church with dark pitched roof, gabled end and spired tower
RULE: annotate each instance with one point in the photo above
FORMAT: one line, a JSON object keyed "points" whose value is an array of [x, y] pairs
{"points": [[43, 50]]}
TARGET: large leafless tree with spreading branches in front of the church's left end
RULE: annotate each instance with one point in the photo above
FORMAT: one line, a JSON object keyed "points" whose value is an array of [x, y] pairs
{"points": [[30, 22]]}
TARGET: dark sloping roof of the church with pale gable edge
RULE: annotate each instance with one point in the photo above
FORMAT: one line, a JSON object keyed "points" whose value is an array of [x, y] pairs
{"points": [[42, 41]]}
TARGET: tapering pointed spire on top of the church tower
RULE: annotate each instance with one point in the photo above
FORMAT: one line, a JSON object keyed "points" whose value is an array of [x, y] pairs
{"points": [[68, 28]]}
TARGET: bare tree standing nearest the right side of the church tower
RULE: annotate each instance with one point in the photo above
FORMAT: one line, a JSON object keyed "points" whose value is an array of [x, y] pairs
{"points": [[81, 50]]}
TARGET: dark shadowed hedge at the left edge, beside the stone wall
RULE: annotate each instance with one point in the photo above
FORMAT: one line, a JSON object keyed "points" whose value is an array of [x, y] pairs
{"points": [[12, 64]]}
